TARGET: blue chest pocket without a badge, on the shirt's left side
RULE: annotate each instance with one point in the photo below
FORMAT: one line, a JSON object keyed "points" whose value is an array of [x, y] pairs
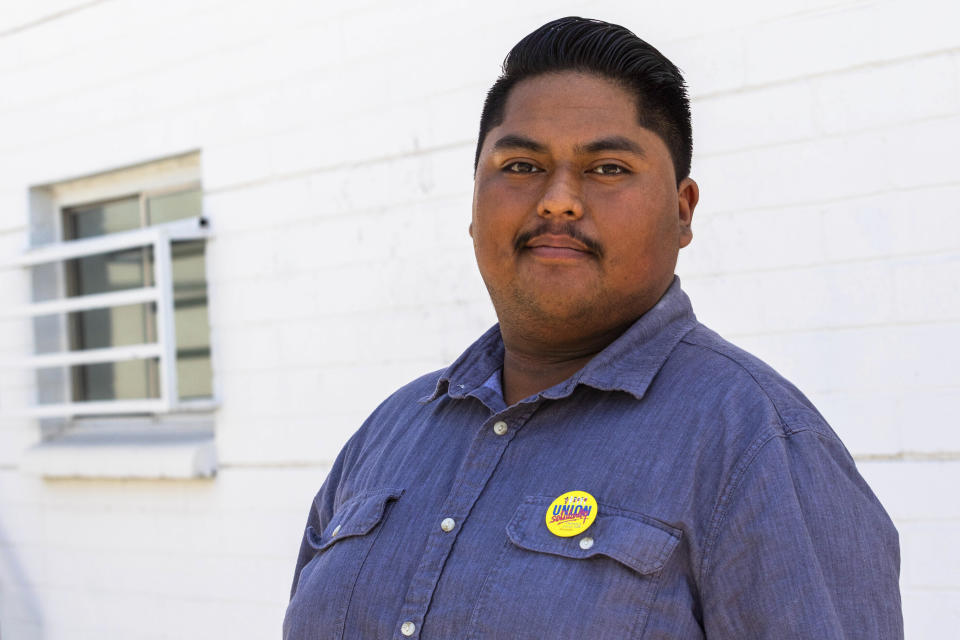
{"points": [[326, 582]]}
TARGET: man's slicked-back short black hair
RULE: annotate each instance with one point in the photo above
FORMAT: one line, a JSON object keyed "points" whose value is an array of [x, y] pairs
{"points": [[611, 51]]}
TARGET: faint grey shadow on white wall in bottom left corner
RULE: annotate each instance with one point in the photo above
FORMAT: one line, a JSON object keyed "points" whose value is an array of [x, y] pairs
{"points": [[21, 617]]}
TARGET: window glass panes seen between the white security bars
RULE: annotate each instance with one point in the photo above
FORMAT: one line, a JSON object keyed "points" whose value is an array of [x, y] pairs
{"points": [[137, 324]]}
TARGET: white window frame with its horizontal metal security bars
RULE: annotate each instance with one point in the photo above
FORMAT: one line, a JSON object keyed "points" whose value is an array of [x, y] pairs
{"points": [[160, 176]]}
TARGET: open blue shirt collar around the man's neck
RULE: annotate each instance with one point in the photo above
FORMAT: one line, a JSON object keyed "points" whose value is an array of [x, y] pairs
{"points": [[628, 364]]}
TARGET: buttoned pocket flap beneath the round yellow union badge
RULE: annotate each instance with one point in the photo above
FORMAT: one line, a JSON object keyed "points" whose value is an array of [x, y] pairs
{"points": [[642, 543]]}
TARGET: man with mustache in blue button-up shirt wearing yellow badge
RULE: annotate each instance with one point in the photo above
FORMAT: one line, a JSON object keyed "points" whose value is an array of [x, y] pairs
{"points": [[599, 464]]}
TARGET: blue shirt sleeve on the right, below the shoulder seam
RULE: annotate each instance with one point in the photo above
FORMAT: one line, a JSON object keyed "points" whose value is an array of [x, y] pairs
{"points": [[801, 548]]}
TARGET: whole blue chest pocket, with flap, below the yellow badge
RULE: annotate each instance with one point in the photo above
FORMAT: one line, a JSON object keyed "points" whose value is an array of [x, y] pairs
{"points": [[598, 584]]}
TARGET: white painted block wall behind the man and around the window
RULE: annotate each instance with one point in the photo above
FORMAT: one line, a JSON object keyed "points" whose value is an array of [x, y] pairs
{"points": [[337, 146]]}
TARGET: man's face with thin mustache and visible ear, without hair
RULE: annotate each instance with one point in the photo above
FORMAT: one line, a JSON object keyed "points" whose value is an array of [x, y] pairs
{"points": [[577, 217]]}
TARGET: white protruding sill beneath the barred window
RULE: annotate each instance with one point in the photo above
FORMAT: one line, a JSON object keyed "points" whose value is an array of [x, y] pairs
{"points": [[125, 449]]}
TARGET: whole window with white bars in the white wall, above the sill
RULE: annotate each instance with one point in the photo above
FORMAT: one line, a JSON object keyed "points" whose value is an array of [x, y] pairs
{"points": [[120, 297]]}
